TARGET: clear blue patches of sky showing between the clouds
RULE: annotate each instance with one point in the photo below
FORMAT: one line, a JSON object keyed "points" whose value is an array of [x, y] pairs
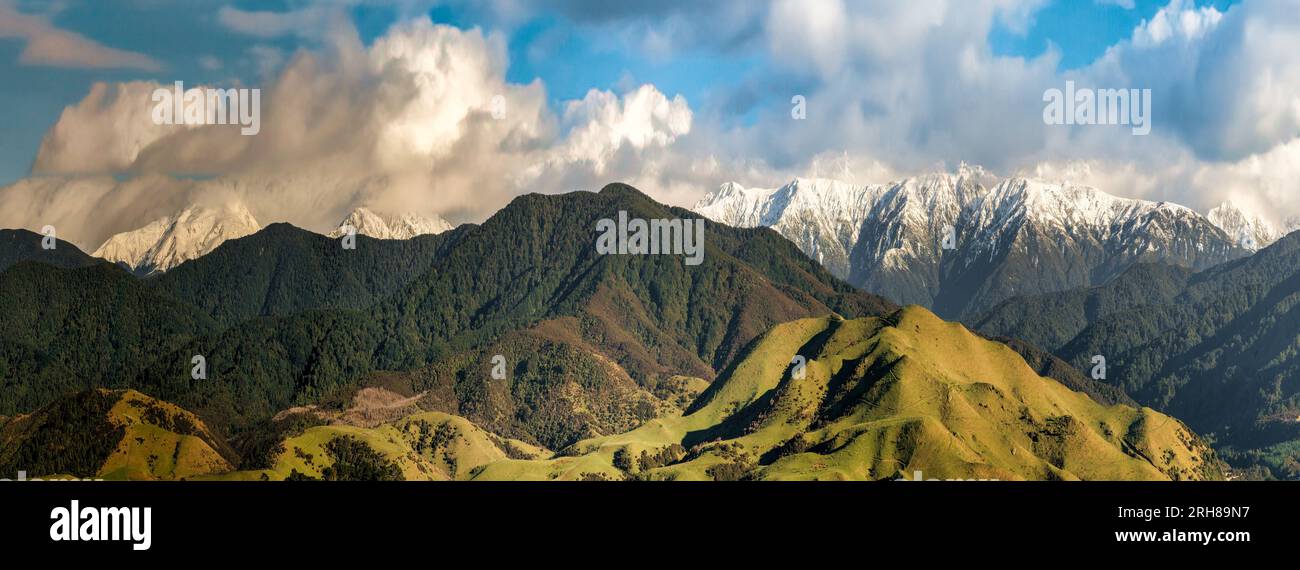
{"points": [[569, 57]]}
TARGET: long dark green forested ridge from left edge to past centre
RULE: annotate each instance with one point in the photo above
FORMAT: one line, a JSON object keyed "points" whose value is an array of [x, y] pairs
{"points": [[528, 279]]}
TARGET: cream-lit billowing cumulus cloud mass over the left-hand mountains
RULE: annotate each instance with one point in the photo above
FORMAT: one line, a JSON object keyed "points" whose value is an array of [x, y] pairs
{"points": [[421, 122]]}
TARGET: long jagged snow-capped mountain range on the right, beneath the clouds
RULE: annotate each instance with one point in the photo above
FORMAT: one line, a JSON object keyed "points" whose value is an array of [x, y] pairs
{"points": [[963, 243]]}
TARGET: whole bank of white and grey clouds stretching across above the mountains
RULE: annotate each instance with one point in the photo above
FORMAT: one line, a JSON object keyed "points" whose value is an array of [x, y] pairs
{"points": [[423, 118]]}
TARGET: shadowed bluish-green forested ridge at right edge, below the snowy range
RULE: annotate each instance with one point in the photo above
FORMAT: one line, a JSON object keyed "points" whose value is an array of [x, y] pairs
{"points": [[1216, 349]]}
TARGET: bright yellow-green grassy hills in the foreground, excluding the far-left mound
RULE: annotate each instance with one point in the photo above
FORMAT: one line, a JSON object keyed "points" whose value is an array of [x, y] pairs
{"points": [[879, 399]]}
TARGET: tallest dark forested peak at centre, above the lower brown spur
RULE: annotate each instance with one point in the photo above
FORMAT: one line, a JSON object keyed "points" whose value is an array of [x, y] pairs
{"points": [[536, 260]]}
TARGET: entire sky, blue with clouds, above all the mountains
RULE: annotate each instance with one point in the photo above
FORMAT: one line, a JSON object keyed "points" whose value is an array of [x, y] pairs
{"points": [[674, 97]]}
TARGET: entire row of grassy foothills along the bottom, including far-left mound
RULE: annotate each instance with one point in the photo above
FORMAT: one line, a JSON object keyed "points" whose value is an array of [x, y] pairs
{"points": [[877, 399]]}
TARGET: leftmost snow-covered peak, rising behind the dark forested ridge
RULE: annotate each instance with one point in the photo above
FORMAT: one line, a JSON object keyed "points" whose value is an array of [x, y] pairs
{"points": [[171, 241]]}
